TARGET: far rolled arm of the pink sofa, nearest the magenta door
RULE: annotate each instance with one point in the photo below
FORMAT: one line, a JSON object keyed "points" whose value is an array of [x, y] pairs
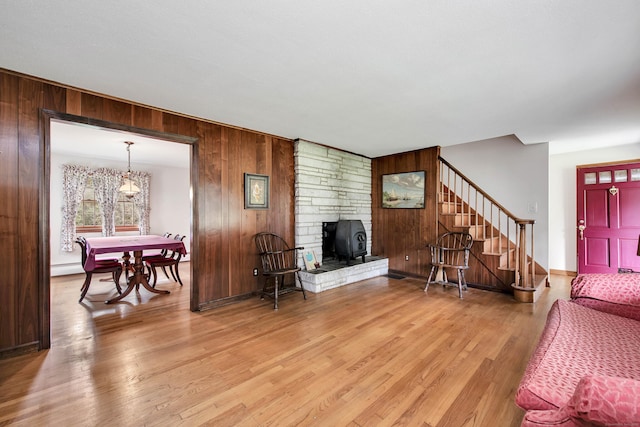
{"points": [[612, 293]]}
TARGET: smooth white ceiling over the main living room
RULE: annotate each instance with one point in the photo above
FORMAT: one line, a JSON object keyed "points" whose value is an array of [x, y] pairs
{"points": [[369, 76]]}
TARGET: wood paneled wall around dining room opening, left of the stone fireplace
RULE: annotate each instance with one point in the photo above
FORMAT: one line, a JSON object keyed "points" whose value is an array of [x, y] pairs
{"points": [[223, 253]]}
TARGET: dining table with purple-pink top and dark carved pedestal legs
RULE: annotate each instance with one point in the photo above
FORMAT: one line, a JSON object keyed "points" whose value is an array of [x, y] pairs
{"points": [[127, 245]]}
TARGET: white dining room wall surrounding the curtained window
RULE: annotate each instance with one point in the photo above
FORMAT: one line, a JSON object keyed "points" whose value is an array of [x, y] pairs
{"points": [[170, 204]]}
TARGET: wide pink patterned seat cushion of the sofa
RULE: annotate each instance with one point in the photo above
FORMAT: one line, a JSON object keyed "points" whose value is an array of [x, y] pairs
{"points": [[578, 341]]}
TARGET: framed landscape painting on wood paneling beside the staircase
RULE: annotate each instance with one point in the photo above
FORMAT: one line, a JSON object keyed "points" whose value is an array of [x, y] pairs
{"points": [[403, 190]]}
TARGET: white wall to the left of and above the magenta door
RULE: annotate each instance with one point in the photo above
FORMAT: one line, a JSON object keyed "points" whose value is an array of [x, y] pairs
{"points": [[562, 199]]}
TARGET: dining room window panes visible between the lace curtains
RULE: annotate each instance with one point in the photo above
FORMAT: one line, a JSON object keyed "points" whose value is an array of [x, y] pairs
{"points": [[89, 217]]}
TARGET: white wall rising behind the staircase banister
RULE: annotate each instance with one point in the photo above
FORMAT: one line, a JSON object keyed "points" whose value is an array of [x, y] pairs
{"points": [[514, 174]]}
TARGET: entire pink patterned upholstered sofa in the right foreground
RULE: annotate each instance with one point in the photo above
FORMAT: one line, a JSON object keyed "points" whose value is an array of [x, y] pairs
{"points": [[585, 370]]}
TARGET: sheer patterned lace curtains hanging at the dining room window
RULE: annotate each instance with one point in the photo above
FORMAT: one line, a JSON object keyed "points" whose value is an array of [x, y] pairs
{"points": [[106, 184]]}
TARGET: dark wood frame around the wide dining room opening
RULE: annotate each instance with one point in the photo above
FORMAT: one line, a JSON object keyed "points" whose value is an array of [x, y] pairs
{"points": [[44, 255]]}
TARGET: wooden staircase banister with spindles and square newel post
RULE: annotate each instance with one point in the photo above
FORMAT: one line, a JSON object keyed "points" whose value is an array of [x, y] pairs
{"points": [[488, 220]]}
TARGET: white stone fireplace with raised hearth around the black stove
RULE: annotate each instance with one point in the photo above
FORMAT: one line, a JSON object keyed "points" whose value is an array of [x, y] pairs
{"points": [[331, 185]]}
